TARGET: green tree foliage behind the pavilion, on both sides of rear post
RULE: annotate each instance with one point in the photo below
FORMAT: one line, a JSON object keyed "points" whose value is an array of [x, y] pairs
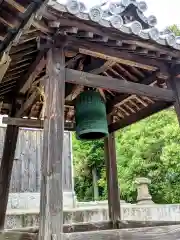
{"points": [[149, 148]]}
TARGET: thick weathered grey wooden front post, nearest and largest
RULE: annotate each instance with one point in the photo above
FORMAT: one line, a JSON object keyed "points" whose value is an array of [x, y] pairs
{"points": [[51, 206]]}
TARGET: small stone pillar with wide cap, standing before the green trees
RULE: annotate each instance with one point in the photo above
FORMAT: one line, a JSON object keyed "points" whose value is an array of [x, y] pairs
{"points": [[143, 195]]}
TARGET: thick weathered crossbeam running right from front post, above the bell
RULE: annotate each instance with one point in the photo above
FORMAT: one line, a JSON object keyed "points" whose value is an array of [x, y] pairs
{"points": [[117, 85]]}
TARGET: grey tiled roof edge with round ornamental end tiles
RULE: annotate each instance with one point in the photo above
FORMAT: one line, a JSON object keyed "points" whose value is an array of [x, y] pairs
{"points": [[126, 16]]}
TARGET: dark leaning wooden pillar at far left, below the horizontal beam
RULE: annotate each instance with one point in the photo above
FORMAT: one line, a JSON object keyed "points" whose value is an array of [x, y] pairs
{"points": [[6, 169]]}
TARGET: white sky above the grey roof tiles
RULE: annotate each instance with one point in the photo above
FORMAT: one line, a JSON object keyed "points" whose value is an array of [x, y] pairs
{"points": [[166, 11]]}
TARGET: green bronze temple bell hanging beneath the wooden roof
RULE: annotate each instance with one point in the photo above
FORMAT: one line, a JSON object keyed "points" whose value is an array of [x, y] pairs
{"points": [[91, 120]]}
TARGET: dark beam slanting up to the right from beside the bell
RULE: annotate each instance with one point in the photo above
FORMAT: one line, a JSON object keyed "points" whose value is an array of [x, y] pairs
{"points": [[139, 115]]}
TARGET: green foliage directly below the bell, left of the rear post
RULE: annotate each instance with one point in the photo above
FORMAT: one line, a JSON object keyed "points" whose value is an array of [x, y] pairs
{"points": [[87, 155]]}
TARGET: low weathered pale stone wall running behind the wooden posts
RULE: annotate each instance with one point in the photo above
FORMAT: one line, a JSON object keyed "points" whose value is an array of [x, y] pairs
{"points": [[152, 212]]}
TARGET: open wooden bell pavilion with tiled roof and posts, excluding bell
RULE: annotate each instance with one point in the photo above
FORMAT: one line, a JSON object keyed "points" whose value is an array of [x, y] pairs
{"points": [[52, 51]]}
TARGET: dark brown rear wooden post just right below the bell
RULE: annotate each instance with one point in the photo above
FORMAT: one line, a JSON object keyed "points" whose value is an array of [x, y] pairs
{"points": [[112, 180]]}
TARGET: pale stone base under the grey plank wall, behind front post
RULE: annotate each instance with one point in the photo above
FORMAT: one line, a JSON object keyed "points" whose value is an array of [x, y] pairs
{"points": [[28, 200]]}
